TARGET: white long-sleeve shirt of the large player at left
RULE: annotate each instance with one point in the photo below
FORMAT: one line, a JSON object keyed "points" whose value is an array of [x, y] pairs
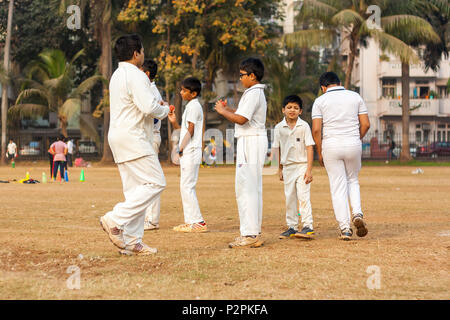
{"points": [[131, 103]]}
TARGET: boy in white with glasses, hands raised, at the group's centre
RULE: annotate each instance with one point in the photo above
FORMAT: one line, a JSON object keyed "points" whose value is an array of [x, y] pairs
{"points": [[250, 131]]}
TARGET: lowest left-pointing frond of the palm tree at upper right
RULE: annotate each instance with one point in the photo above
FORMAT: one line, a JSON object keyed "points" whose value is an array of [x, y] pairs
{"points": [[309, 38]]}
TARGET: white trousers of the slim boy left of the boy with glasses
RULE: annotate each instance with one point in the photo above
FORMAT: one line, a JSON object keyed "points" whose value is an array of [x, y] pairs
{"points": [[189, 167]]}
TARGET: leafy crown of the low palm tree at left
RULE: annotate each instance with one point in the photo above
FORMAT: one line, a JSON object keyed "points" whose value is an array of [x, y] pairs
{"points": [[49, 87]]}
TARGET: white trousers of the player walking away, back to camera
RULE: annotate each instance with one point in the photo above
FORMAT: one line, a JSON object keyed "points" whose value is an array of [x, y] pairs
{"points": [[343, 165]]}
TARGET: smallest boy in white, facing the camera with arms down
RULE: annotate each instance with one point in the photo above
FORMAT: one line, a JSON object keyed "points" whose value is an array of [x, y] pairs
{"points": [[294, 141]]}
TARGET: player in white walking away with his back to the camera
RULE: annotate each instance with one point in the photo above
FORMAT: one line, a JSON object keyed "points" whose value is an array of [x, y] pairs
{"points": [[344, 118]]}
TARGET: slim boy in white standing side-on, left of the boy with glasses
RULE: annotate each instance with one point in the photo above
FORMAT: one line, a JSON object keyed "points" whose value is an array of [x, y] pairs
{"points": [[190, 151]]}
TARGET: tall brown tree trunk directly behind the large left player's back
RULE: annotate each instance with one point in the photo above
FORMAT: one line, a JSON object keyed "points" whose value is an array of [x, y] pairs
{"points": [[106, 71]]}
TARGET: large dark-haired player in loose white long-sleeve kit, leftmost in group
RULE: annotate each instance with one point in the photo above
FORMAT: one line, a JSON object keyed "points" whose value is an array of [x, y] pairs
{"points": [[132, 104]]}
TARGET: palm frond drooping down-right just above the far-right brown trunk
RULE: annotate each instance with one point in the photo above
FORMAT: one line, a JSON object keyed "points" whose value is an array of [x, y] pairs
{"points": [[395, 46]]}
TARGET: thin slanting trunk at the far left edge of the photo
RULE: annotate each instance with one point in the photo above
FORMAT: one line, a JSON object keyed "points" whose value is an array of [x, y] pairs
{"points": [[5, 87]]}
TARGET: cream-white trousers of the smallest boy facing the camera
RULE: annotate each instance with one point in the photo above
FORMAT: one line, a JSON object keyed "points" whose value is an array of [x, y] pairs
{"points": [[297, 191]]}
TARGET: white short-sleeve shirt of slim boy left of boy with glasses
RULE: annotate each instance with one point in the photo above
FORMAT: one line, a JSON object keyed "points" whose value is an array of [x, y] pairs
{"points": [[192, 113]]}
